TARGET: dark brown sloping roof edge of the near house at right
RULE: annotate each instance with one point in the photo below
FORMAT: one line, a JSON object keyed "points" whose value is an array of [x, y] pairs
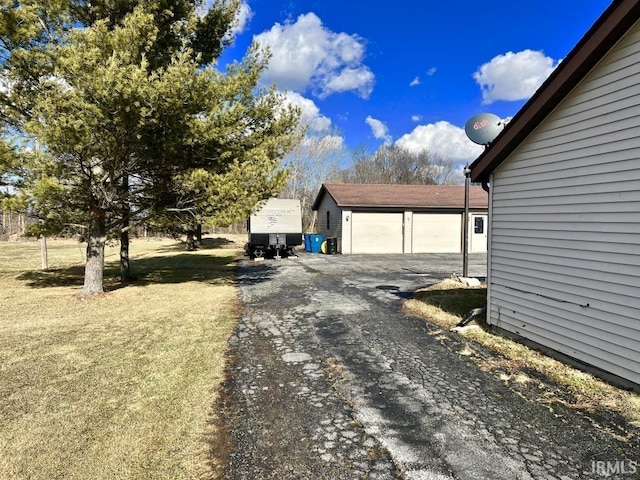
{"points": [[603, 35]]}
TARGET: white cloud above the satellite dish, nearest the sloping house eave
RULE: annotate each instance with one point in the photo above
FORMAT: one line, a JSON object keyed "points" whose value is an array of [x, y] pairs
{"points": [[513, 76]]}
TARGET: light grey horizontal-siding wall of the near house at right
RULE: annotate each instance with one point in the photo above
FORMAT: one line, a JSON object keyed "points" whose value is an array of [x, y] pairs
{"points": [[564, 264]]}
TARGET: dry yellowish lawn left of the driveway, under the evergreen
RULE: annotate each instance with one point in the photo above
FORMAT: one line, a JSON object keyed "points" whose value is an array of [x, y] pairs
{"points": [[119, 385]]}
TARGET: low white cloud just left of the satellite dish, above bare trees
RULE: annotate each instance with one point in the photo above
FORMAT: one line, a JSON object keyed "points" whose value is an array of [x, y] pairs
{"points": [[441, 138]]}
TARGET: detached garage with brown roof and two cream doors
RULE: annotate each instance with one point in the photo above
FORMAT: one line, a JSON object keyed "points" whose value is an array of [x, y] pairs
{"points": [[401, 218]]}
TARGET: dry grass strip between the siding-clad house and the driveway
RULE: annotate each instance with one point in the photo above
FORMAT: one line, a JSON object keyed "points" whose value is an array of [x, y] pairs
{"points": [[446, 303]]}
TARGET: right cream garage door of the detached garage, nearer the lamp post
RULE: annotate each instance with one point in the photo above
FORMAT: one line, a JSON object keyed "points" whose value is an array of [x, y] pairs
{"points": [[437, 233]]}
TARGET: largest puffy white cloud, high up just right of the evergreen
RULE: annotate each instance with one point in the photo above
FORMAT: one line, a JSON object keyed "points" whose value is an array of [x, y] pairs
{"points": [[307, 56]]}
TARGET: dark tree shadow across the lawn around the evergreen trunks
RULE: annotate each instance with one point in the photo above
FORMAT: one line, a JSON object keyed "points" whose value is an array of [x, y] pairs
{"points": [[180, 268]]}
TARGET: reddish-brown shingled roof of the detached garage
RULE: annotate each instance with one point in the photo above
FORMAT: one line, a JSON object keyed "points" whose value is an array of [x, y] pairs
{"points": [[402, 196]]}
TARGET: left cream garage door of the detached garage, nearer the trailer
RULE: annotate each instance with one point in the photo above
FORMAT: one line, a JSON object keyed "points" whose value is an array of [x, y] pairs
{"points": [[376, 232]]}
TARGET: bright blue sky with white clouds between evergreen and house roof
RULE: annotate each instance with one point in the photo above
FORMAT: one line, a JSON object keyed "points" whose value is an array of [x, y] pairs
{"points": [[410, 72]]}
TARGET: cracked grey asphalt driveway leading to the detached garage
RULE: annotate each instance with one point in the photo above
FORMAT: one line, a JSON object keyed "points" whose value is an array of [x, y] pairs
{"points": [[329, 379]]}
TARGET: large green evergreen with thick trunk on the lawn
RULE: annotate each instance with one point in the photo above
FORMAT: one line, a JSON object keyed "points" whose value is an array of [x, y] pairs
{"points": [[134, 120]]}
